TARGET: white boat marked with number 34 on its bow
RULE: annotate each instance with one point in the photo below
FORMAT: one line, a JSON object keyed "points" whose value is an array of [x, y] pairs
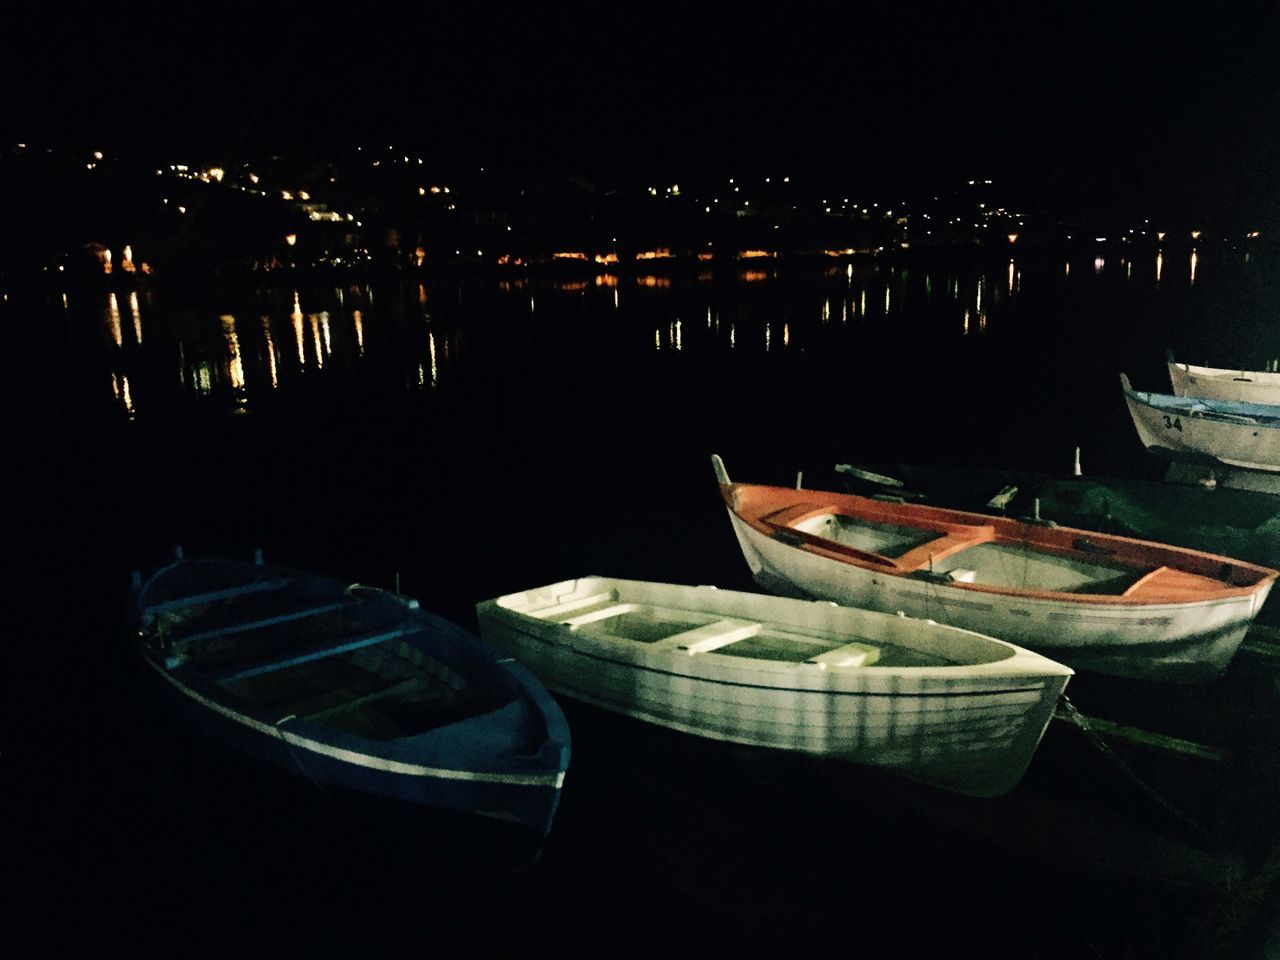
{"points": [[1191, 428]]}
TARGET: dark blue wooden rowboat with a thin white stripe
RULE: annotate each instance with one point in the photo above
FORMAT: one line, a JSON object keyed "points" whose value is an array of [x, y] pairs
{"points": [[356, 688]]}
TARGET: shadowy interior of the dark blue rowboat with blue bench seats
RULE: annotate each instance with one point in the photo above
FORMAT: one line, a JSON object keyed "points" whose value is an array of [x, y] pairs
{"points": [[322, 660]]}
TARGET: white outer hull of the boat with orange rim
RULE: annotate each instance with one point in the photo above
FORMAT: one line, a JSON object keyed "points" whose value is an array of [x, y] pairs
{"points": [[1178, 643]]}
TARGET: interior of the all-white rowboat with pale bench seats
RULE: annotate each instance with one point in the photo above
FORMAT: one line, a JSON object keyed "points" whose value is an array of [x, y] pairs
{"points": [[612, 616]]}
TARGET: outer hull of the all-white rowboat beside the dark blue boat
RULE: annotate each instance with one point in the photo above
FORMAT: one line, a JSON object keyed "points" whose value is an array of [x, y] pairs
{"points": [[966, 730]]}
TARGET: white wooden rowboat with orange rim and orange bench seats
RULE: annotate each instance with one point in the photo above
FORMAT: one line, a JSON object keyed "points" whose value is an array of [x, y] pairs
{"points": [[1094, 601]]}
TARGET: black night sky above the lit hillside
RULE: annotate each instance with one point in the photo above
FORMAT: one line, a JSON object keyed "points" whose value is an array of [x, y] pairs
{"points": [[1164, 104]]}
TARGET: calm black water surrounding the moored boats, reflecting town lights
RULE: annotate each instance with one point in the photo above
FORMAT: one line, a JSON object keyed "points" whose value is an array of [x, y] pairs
{"points": [[482, 436]]}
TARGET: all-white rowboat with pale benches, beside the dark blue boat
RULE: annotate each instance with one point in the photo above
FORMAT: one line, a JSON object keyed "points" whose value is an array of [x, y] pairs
{"points": [[939, 705]]}
